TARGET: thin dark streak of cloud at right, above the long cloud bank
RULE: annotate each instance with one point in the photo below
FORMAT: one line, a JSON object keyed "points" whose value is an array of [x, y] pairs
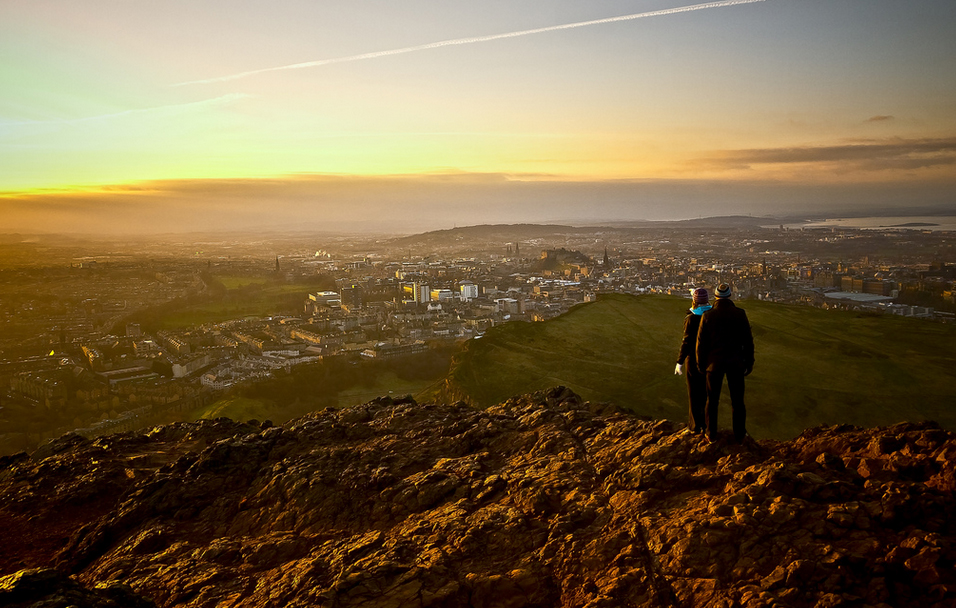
{"points": [[861, 155]]}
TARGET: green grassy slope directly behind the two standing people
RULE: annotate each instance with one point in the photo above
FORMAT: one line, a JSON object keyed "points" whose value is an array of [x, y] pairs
{"points": [[813, 366]]}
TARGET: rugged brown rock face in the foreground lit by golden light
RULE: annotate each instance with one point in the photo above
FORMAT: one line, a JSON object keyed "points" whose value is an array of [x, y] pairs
{"points": [[540, 501]]}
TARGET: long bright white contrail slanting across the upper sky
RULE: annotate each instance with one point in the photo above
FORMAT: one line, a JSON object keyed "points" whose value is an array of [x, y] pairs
{"points": [[457, 41]]}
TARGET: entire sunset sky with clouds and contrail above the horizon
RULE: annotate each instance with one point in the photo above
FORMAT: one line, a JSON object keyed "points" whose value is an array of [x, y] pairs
{"points": [[128, 116]]}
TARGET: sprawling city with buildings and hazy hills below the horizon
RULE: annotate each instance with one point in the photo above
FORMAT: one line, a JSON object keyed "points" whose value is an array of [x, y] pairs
{"points": [[105, 336]]}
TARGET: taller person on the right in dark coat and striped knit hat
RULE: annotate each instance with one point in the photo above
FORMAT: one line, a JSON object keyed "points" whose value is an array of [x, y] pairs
{"points": [[725, 347]]}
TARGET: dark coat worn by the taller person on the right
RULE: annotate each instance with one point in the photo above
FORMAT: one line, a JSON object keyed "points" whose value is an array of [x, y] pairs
{"points": [[724, 339]]}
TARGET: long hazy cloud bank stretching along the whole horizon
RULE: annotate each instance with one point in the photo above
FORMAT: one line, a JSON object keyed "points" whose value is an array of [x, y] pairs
{"points": [[414, 203]]}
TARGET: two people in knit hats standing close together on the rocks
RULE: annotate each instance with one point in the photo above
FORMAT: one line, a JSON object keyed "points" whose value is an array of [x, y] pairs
{"points": [[717, 344]]}
